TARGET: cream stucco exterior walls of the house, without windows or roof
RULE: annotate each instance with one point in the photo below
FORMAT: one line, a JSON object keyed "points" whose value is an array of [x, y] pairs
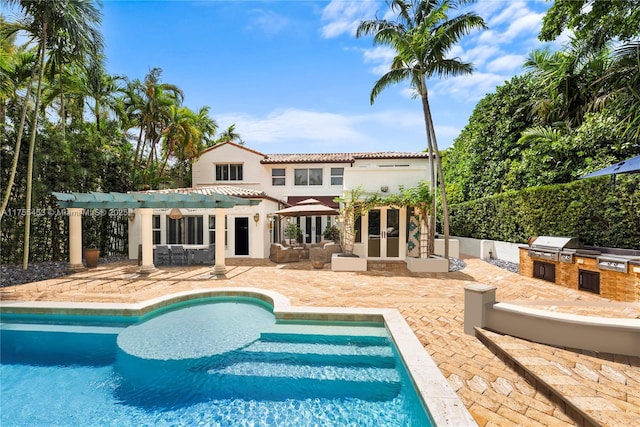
{"points": [[375, 175]]}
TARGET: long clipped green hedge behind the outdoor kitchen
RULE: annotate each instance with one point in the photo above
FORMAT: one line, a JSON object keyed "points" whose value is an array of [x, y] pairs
{"points": [[595, 210]]}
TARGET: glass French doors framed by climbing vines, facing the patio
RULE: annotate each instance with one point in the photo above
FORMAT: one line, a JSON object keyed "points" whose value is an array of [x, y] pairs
{"points": [[385, 233]]}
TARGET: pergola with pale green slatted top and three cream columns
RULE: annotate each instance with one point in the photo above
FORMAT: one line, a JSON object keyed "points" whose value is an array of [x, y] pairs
{"points": [[144, 203]]}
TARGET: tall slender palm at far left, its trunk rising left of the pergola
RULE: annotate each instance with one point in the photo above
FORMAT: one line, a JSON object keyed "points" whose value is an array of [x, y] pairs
{"points": [[43, 21]]}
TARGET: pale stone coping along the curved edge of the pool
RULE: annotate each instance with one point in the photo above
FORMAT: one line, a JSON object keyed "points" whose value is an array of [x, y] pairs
{"points": [[444, 405]]}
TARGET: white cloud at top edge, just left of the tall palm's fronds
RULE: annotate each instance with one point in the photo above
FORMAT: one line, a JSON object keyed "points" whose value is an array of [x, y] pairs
{"points": [[343, 17]]}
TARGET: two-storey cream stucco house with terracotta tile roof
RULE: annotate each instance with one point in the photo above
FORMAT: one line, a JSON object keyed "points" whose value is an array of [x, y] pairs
{"points": [[281, 180]]}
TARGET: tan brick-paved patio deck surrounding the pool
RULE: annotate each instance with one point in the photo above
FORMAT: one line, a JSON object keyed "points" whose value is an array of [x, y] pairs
{"points": [[502, 380]]}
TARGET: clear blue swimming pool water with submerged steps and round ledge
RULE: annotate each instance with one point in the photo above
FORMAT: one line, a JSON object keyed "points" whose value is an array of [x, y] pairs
{"points": [[221, 363]]}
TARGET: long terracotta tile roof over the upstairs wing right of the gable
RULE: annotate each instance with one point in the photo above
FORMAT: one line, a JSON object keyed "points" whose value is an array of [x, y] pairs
{"points": [[339, 157]]}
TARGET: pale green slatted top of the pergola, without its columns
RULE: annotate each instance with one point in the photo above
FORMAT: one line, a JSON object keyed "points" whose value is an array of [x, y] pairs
{"points": [[95, 200]]}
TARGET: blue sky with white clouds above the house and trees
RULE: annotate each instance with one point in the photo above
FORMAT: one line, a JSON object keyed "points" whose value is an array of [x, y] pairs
{"points": [[294, 79]]}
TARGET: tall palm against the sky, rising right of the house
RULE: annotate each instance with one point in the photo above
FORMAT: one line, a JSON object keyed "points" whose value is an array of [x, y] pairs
{"points": [[421, 37]]}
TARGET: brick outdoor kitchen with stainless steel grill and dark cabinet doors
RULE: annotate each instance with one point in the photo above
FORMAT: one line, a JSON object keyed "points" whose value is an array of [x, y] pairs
{"points": [[609, 272]]}
